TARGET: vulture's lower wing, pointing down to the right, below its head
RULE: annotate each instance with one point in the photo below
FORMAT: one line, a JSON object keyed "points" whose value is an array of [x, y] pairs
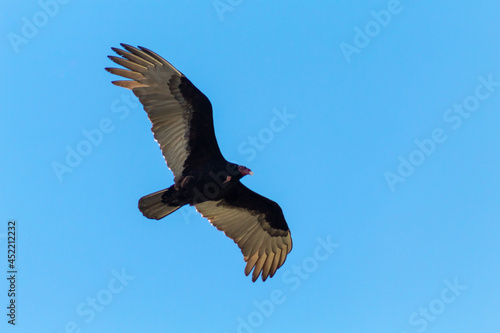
{"points": [[256, 224]]}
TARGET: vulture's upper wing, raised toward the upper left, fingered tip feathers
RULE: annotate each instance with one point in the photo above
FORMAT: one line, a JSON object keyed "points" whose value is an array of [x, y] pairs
{"points": [[181, 115]]}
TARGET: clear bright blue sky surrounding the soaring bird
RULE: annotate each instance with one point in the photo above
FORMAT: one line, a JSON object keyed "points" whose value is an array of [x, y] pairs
{"points": [[385, 161]]}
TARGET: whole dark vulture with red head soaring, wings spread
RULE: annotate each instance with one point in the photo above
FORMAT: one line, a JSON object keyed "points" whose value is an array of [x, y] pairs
{"points": [[182, 124]]}
